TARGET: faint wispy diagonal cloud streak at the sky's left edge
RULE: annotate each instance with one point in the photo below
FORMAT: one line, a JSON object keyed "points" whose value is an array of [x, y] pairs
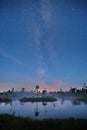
{"points": [[8, 56]]}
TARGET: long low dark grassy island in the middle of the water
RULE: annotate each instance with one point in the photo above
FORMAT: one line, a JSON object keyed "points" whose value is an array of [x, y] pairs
{"points": [[38, 99]]}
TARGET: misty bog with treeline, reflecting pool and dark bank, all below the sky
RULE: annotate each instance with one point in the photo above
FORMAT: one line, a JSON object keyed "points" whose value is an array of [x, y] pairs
{"points": [[44, 107]]}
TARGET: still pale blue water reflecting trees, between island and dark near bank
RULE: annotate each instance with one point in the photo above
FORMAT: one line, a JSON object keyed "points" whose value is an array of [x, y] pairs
{"points": [[59, 109]]}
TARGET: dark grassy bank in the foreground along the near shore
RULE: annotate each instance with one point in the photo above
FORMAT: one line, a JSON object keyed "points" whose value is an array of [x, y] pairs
{"points": [[10, 122]]}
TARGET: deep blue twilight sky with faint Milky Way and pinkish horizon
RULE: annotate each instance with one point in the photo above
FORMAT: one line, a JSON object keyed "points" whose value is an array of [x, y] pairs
{"points": [[43, 42]]}
